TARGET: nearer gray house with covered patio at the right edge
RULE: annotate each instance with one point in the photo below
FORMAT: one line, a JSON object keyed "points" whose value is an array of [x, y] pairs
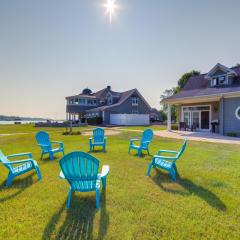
{"points": [[210, 99]]}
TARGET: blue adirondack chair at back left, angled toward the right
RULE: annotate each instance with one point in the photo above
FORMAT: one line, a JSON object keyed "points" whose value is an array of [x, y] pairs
{"points": [[46, 145]]}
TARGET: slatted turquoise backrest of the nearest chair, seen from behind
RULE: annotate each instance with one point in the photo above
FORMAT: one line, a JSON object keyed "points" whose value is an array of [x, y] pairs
{"points": [[81, 170]]}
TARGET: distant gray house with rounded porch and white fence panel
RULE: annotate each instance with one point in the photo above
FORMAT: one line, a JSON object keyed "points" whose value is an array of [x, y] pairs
{"points": [[117, 108]]}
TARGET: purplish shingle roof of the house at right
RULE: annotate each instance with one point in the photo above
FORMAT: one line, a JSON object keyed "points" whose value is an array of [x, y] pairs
{"points": [[198, 86]]}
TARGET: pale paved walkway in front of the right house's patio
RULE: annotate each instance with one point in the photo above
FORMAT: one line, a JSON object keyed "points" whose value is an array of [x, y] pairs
{"points": [[198, 136]]}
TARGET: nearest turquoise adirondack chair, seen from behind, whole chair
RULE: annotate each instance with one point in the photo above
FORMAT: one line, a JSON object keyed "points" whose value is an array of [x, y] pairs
{"points": [[81, 171]]}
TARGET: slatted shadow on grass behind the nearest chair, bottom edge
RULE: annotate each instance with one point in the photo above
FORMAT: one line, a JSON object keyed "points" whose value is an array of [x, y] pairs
{"points": [[78, 223]]}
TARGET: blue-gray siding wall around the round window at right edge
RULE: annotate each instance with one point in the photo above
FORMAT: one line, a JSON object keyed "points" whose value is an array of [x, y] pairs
{"points": [[230, 121]]}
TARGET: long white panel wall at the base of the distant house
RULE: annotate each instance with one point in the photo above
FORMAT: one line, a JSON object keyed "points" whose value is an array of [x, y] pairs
{"points": [[129, 119]]}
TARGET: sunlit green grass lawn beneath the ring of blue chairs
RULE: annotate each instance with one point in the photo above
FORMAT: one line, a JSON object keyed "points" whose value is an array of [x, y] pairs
{"points": [[202, 204]]}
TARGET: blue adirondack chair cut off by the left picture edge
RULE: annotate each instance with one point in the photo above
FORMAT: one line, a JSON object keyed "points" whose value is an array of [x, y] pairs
{"points": [[19, 167]]}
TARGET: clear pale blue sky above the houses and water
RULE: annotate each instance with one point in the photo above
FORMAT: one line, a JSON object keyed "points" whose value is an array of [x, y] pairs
{"points": [[50, 49]]}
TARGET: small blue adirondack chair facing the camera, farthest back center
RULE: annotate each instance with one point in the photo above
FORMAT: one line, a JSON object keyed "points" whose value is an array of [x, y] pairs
{"points": [[98, 139]]}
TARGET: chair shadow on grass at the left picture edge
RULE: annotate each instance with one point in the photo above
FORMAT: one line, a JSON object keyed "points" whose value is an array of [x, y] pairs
{"points": [[20, 184]]}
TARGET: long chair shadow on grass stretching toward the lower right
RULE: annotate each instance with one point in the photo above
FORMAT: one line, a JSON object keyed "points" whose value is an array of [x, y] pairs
{"points": [[191, 189]]}
